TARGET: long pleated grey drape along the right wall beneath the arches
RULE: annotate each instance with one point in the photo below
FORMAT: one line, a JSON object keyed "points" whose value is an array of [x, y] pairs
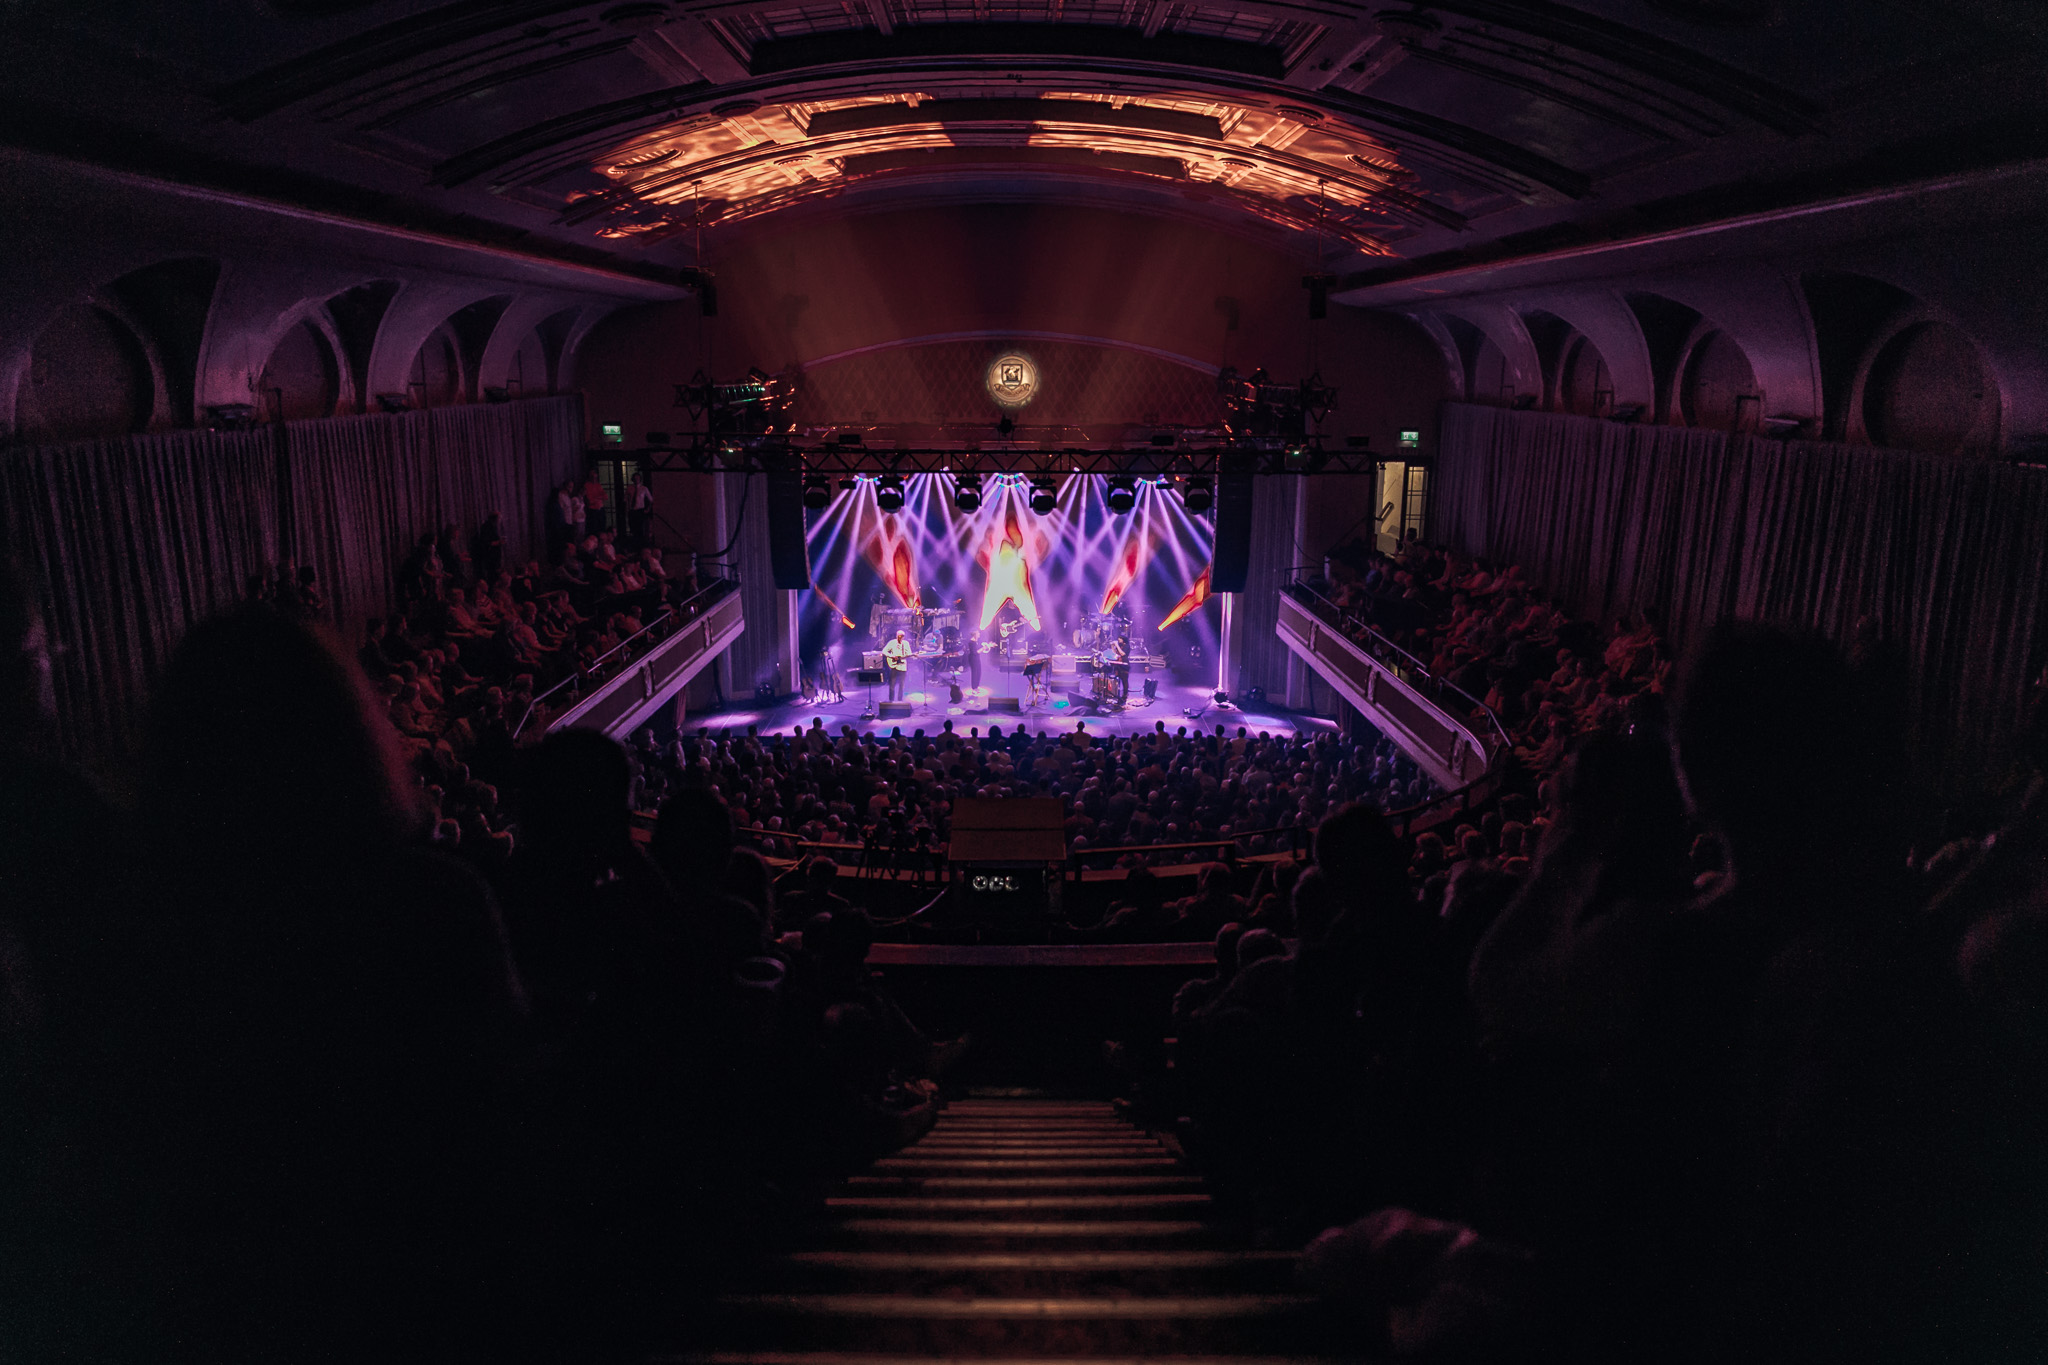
{"points": [[1701, 527]]}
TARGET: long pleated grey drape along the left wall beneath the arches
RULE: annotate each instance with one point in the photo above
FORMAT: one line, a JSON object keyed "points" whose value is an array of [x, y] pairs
{"points": [[134, 539]]}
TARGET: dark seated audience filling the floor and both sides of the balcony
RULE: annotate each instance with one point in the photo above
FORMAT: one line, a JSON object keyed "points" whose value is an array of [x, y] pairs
{"points": [[1678, 1051]]}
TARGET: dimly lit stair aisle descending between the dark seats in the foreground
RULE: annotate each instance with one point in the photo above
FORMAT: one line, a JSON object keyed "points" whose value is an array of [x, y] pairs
{"points": [[1021, 1231]]}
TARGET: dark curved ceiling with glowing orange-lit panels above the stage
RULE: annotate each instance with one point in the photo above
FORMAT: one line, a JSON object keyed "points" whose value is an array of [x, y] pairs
{"points": [[1365, 136]]}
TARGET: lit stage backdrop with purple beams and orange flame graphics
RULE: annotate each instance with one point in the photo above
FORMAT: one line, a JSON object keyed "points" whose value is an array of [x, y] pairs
{"points": [[1058, 570]]}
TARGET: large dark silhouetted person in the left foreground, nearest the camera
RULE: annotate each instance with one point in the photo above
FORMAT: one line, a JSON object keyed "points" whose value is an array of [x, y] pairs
{"points": [[318, 1110]]}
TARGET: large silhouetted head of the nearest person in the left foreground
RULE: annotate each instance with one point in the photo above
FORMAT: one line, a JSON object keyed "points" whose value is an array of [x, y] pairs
{"points": [[265, 736]]}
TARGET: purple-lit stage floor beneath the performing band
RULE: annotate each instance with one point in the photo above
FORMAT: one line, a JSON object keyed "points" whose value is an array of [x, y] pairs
{"points": [[933, 711]]}
